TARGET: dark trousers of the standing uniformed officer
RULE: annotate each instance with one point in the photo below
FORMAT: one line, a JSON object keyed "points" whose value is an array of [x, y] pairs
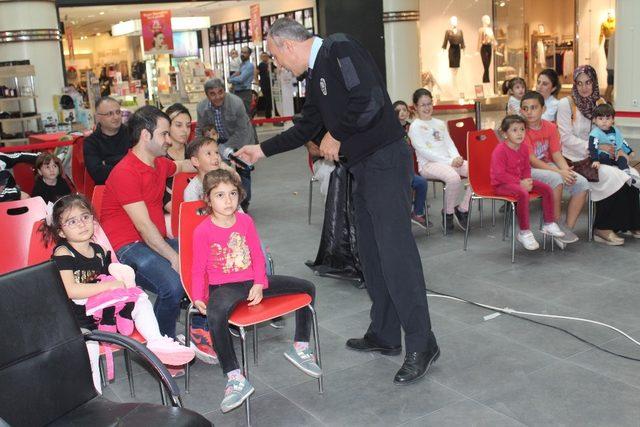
{"points": [[389, 255]]}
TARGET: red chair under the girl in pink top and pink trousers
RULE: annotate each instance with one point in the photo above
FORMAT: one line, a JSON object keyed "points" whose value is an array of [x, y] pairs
{"points": [[480, 146]]}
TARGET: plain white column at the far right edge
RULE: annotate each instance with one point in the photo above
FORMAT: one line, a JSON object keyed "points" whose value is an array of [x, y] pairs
{"points": [[627, 60]]}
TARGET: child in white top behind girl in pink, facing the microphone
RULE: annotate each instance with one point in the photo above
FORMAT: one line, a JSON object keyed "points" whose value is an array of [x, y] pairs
{"points": [[204, 156]]}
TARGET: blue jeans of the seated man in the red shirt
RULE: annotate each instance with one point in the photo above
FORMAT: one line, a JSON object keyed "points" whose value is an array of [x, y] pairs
{"points": [[155, 274]]}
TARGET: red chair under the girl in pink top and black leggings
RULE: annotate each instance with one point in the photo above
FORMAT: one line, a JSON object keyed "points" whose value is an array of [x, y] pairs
{"points": [[243, 316]]}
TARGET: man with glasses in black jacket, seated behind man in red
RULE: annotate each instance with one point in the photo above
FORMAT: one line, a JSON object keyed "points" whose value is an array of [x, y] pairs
{"points": [[108, 144]]}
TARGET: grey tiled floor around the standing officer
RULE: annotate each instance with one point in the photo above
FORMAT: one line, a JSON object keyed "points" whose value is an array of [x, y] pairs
{"points": [[499, 372]]}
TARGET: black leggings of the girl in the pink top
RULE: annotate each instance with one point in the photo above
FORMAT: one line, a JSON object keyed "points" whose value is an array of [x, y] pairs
{"points": [[224, 298]]}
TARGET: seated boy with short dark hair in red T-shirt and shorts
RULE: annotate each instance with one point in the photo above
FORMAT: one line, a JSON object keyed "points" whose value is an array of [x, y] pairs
{"points": [[549, 166]]}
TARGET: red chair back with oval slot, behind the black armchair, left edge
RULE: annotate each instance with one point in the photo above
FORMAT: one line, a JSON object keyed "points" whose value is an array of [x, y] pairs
{"points": [[16, 220]]}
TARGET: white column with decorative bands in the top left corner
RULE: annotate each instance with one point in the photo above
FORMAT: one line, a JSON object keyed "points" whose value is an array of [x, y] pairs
{"points": [[21, 19]]}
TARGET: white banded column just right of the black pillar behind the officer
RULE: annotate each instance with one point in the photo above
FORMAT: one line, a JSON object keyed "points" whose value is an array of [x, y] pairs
{"points": [[402, 47]]}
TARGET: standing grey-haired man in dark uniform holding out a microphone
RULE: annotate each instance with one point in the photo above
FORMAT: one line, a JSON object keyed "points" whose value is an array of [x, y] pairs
{"points": [[346, 94]]}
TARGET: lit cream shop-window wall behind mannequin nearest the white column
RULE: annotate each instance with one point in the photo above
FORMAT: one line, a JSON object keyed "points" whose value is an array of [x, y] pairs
{"points": [[434, 21]]}
